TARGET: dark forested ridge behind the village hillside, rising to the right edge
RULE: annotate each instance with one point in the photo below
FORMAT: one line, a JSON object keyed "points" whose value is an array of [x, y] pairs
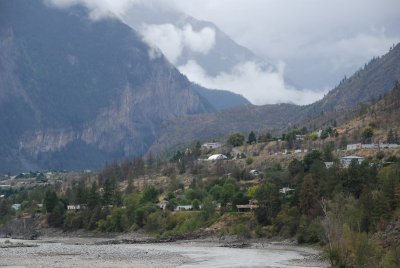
{"points": [[369, 83]]}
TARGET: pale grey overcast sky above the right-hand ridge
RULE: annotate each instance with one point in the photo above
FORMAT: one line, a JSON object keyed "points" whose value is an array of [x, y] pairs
{"points": [[330, 38]]}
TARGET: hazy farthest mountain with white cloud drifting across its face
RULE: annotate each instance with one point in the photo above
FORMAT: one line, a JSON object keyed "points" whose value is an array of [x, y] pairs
{"points": [[190, 43]]}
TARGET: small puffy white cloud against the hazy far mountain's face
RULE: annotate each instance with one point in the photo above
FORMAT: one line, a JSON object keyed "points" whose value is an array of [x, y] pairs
{"points": [[173, 40]]}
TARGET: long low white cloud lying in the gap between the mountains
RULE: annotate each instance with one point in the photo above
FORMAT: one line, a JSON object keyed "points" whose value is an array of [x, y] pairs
{"points": [[250, 80]]}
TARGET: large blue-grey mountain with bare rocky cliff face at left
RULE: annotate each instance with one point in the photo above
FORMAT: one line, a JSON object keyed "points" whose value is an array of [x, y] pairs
{"points": [[75, 93]]}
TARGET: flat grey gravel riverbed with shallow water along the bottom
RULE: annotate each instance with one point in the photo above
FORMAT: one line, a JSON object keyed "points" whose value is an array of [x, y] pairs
{"points": [[96, 252]]}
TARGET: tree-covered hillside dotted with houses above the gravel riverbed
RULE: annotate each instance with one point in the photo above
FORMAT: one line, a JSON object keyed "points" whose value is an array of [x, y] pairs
{"points": [[352, 212]]}
